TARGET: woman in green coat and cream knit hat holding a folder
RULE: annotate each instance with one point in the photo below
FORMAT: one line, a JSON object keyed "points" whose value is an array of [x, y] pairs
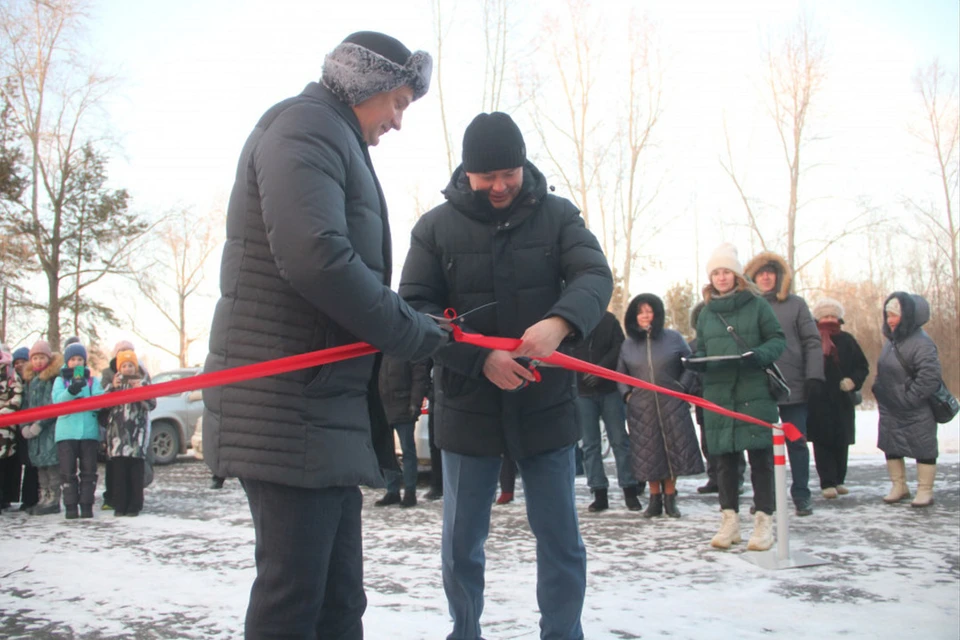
{"points": [[732, 301]]}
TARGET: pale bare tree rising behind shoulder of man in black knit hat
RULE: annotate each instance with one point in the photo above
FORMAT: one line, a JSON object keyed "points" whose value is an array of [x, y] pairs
{"points": [[598, 152]]}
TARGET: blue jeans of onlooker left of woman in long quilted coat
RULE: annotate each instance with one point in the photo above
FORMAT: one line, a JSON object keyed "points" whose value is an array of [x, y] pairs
{"points": [[610, 407]]}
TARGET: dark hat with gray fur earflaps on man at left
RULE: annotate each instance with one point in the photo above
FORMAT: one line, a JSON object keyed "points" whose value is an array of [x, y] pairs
{"points": [[367, 63]]}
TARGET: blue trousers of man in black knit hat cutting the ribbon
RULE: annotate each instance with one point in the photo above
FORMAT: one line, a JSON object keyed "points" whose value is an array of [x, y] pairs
{"points": [[469, 484]]}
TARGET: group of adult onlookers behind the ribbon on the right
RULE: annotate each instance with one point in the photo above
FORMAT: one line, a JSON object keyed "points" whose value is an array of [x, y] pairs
{"points": [[750, 330]]}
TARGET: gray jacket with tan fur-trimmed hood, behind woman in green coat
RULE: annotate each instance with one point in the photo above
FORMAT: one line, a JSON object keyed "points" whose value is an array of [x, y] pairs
{"points": [[802, 360]]}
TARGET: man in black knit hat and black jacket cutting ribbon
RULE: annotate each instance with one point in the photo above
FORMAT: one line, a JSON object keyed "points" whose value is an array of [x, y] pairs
{"points": [[502, 238]]}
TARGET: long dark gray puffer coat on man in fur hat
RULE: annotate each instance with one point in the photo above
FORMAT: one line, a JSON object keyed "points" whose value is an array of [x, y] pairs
{"points": [[306, 266]]}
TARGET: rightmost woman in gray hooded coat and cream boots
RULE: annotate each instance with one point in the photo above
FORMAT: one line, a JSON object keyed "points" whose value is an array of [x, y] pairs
{"points": [[908, 374]]}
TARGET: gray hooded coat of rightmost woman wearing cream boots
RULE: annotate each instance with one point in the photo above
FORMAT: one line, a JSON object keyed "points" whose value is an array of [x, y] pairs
{"points": [[907, 426]]}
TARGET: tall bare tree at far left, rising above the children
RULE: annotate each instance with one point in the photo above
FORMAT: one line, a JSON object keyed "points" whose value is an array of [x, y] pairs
{"points": [[80, 230]]}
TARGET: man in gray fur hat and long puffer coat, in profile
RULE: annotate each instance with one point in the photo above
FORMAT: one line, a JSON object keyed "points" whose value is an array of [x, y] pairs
{"points": [[306, 266]]}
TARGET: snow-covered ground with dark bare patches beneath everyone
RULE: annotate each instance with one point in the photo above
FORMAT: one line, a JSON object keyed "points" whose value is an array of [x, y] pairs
{"points": [[183, 569]]}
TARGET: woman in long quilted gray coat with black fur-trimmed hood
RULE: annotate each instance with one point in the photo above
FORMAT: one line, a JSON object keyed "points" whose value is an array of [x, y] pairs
{"points": [[663, 442]]}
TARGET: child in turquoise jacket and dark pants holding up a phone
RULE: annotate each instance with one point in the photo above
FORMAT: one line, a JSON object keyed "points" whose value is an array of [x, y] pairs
{"points": [[77, 434]]}
